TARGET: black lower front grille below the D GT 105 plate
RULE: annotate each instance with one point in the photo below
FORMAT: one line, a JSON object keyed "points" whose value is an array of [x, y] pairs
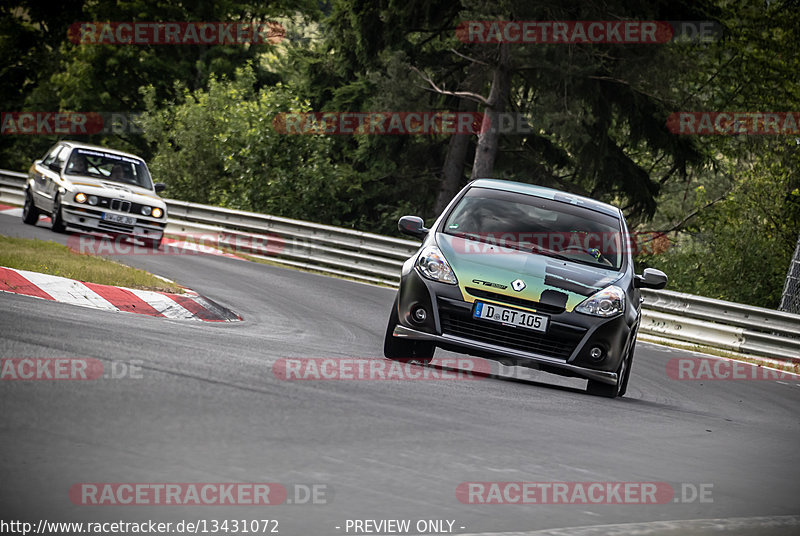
{"points": [[558, 342]]}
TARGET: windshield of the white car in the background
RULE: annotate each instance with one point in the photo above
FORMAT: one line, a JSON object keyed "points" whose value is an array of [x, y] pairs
{"points": [[110, 167]]}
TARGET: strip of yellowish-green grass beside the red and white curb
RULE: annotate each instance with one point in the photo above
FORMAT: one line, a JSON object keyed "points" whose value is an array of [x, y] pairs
{"points": [[56, 259]]}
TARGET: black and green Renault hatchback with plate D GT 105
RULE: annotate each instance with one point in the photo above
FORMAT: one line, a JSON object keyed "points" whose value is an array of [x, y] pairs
{"points": [[525, 275]]}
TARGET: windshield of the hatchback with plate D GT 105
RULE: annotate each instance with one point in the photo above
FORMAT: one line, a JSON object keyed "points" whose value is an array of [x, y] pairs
{"points": [[539, 226]]}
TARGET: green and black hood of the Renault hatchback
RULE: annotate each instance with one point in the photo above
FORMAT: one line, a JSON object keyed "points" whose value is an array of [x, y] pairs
{"points": [[553, 282]]}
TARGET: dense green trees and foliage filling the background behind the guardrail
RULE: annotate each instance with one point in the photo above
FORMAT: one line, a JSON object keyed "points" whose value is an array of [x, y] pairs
{"points": [[598, 115]]}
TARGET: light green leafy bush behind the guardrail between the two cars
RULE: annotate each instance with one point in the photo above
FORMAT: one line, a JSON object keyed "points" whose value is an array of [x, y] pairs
{"points": [[218, 146]]}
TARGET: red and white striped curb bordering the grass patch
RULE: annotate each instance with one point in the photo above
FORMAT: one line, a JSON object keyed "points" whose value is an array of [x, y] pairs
{"points": [[187, 306]]}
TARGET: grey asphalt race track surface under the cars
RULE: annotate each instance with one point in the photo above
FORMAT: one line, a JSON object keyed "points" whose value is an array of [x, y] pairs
{"points": [[206, 407]]}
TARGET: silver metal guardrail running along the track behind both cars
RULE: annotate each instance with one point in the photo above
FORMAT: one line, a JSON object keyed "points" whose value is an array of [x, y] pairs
{"points": [[377, 259]]}
